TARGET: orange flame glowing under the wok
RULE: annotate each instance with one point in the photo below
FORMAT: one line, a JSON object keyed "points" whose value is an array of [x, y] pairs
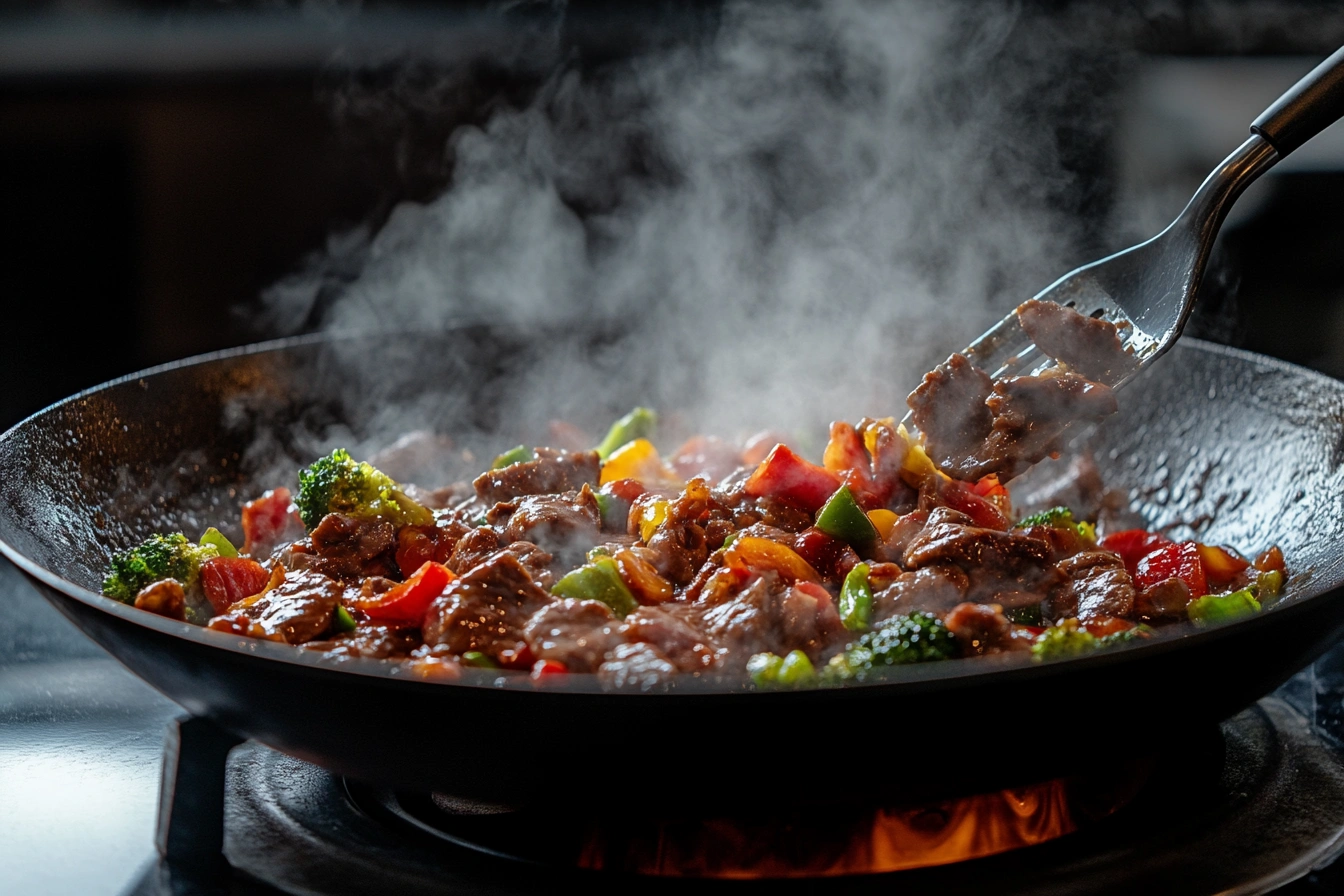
{"points": [[827, 843]]}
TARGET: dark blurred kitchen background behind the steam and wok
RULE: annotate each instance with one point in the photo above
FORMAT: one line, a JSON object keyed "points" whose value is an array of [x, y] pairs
{"points": [[163, 163]]}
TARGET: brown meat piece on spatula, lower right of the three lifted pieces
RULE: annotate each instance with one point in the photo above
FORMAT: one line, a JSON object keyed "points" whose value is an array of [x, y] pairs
{"points": [[1030, 410]]}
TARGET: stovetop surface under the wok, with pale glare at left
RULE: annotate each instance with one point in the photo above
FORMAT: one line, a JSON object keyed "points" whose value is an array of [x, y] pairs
{"points": [[83, 754]]}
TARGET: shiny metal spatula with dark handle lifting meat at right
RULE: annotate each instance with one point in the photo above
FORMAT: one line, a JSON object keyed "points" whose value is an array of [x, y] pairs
{"points": [[1150, 289]]}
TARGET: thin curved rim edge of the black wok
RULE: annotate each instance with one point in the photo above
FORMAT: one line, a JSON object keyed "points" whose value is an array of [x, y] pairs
{"points": [[911, 678]]}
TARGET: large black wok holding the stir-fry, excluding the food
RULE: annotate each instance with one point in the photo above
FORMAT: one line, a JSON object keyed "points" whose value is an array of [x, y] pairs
{"points": [[1244, 449]]}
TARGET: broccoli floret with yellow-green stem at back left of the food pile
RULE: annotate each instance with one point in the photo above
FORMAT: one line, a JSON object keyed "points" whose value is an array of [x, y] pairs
{"points": [[338, 484]]}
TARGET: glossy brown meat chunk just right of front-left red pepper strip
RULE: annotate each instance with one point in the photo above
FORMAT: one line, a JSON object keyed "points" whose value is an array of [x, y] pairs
{"points": [[486, 609]]}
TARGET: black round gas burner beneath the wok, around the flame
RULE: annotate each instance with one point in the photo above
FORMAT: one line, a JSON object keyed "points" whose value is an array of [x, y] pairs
{"points": [[1248, 809]]}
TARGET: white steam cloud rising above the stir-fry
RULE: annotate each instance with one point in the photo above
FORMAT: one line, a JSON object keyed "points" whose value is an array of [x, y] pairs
{"points": [[788, 221]]}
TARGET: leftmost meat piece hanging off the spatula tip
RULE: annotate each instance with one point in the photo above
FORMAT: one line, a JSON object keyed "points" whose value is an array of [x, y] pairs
{"points": [[950, 409]]}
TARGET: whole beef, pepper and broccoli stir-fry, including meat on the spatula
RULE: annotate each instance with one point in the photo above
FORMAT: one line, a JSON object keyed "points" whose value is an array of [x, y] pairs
{"points": [[720, 559]]}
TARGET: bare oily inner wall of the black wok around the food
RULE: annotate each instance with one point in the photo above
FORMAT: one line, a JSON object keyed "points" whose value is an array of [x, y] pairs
{"points": [[1238, 449]]}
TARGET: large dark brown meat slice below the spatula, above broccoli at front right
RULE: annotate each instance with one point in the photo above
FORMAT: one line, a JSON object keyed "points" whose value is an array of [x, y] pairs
{"points": [[1003, 568]]}
